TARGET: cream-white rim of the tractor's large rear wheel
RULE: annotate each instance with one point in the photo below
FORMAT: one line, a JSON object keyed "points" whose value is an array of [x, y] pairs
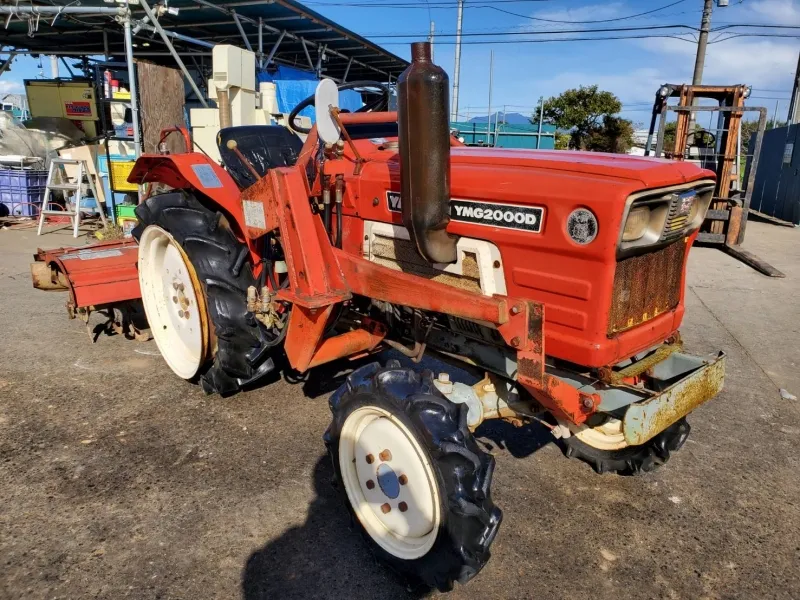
{"points": [[173, 301]]}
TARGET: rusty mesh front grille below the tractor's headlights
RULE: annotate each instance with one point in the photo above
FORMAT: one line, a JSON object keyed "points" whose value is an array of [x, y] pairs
{"points": [[646, 286]]}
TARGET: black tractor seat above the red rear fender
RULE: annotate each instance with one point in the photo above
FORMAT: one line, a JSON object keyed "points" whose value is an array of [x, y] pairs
{"points": [[264, 146]]}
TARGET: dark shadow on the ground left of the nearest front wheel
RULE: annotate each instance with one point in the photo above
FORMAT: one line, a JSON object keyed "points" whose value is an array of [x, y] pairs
{"points": [[323, 558]]}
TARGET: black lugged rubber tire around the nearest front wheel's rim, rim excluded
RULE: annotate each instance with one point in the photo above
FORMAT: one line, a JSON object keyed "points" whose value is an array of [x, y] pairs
{"points": [[469, 519]]}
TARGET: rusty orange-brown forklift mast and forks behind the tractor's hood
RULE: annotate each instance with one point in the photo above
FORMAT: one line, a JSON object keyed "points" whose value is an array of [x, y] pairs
{"points": [[719, 149]]}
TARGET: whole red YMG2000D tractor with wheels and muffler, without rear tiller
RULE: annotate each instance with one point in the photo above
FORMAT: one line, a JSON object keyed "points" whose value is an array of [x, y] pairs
{"points": [[558, 276]]}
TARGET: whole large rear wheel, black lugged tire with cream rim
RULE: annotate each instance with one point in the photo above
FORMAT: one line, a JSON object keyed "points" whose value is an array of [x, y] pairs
{"points": [[227, 349]]}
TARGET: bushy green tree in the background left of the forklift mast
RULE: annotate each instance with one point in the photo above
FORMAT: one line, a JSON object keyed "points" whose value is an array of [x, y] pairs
{"points": [[587, 114]]}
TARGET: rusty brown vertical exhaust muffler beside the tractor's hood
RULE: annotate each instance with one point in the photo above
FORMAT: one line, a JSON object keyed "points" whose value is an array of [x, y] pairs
{"points": [[424, 131]]}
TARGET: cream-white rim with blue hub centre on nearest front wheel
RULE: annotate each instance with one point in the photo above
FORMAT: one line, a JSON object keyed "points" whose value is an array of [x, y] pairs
{"points": [[384, 467]]}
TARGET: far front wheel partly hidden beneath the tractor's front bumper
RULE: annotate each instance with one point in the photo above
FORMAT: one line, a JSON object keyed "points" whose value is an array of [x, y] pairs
{"points": [[625, 459]]}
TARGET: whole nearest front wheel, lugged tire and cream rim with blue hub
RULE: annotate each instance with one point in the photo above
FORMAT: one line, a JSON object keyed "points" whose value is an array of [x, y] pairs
{"points": [[413, 477]]}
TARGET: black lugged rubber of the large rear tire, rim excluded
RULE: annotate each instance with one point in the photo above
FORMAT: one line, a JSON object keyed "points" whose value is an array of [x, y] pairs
{"points": [[240, 347]]}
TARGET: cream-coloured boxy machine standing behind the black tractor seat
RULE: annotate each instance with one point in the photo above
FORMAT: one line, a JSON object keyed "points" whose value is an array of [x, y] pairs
{"points": [[240, 101]]}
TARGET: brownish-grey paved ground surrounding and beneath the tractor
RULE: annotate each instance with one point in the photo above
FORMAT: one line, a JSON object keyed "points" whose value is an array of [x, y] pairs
{"points": [[119, 480]]}
